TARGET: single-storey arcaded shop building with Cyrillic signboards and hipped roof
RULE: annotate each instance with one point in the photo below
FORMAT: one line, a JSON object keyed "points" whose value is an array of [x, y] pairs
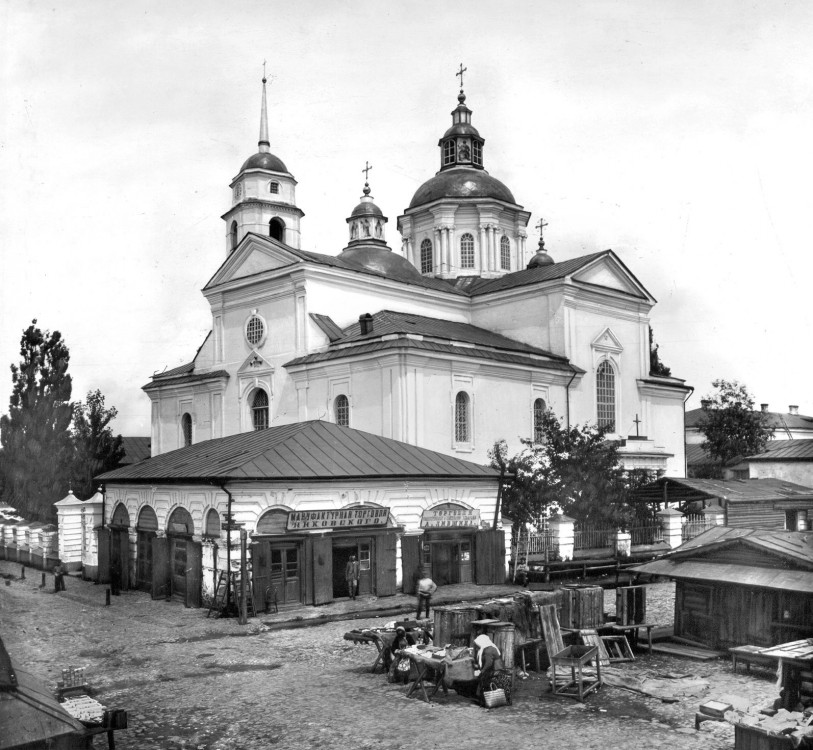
{"points": [[308, 495]]}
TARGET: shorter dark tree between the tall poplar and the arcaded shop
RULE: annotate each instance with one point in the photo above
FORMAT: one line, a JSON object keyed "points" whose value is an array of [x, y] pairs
{"points": [[95, 448]]}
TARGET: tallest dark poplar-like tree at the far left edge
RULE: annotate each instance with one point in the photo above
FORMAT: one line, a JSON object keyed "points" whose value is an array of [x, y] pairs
{"points": [[34, 434]]}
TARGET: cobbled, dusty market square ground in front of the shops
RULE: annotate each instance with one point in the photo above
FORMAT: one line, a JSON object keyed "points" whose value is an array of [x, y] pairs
{"points": [[192, 682]]}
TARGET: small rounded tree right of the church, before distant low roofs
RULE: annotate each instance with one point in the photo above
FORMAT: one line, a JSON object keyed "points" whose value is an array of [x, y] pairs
{"points": [[730, 425]]}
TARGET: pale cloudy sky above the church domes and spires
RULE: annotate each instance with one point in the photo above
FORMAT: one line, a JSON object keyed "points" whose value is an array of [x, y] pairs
{"points": [[678, 134]]}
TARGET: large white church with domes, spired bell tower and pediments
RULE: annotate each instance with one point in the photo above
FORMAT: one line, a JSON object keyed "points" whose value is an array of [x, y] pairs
{"points": [[462, 337]]}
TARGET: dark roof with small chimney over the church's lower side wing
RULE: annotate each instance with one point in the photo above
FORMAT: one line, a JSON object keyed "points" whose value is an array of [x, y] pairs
{"points": [[396, 330]]}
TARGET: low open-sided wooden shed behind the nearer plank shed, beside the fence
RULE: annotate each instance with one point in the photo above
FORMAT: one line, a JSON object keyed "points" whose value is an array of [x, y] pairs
{"points": [[747, 503]]}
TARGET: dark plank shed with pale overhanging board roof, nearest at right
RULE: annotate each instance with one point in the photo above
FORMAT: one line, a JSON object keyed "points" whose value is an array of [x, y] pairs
{"points": [[739, 587]]}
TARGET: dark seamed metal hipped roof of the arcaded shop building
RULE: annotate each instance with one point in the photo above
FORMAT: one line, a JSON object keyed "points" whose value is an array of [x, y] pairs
{"points": [[300, 451]]}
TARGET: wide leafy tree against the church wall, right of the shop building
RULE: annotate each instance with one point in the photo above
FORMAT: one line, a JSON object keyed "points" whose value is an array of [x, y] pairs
{"points": [[573, 470]]}
